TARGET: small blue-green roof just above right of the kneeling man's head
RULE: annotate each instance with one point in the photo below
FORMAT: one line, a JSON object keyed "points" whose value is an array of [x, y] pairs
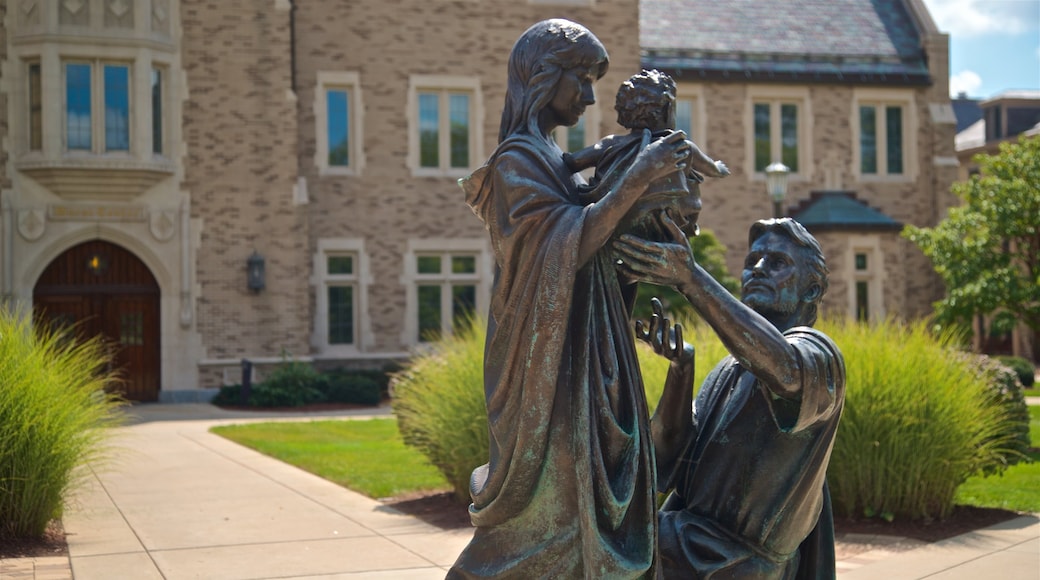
{"points": [[841, 210]]}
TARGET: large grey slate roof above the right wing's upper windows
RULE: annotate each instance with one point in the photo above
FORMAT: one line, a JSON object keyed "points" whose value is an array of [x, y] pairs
{"points": [[807, 41]]}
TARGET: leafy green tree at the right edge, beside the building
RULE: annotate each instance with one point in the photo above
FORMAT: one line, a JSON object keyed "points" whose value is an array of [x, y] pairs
{"points": [[987, 251]]}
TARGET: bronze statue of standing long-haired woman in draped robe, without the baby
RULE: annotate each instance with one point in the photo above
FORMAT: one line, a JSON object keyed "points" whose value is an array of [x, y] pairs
{"points": [[569, 488]]}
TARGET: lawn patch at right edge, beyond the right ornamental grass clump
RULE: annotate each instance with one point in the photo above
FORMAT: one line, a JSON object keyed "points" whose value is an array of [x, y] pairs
{"points": [[1018, 489]]}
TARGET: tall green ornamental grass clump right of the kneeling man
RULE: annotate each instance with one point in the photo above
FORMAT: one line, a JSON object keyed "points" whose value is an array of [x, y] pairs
{"points": [[918, 423]]}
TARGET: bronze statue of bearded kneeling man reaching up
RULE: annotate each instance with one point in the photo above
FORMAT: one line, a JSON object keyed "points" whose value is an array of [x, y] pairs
{"points": [[747, 468]]}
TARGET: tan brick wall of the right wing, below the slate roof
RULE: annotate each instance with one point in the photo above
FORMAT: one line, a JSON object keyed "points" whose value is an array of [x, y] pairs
{"points": [[733, 204]]}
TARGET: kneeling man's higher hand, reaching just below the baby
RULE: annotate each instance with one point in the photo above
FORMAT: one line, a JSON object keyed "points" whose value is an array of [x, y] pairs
{"points": [[668, 263]]}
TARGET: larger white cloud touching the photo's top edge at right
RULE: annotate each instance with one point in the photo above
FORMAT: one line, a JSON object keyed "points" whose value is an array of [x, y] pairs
{"points": [[975, 18]]}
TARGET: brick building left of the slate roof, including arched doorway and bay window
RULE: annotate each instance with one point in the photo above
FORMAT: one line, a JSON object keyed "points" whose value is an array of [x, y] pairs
{"points": [[150, 148]]}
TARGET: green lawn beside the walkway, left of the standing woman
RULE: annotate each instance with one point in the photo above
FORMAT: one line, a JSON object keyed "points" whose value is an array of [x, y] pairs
{"points": [[368, 457]]}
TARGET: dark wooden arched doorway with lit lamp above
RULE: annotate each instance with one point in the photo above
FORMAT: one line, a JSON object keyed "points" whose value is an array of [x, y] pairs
{"points": [[107, 291]]}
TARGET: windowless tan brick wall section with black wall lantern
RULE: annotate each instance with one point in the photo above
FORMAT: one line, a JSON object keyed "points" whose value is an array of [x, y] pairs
{"points": [[240, 128]]}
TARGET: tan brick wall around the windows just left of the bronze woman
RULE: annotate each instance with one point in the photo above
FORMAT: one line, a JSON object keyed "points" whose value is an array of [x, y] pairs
{"points": [[385, 44]]}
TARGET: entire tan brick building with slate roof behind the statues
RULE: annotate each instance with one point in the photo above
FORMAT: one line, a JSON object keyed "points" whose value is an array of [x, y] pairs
{"points": [[154, 150]]}
